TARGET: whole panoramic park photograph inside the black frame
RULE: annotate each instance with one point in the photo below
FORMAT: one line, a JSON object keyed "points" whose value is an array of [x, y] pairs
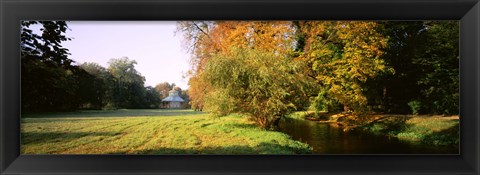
{"points": [[240, 87]]}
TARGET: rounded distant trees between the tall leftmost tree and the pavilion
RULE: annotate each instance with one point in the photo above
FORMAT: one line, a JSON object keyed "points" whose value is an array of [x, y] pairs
{"points": [[118, 86]]}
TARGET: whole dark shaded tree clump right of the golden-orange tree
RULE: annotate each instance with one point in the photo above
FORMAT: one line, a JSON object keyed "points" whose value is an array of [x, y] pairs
{"points": [[425, 56]]}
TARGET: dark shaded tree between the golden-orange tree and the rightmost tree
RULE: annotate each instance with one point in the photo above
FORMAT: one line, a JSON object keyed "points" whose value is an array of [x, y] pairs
{"points": [[393, 92]]}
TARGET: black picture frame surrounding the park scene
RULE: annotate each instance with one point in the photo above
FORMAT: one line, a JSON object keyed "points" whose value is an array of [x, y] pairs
{"points": [[13, 11]]}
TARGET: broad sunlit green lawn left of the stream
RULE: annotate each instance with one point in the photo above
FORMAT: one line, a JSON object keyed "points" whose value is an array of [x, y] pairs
{"points": [[150, 132]]}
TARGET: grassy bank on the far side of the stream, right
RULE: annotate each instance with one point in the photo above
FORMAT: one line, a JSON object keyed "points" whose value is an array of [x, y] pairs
{"points": [[425, 129]]}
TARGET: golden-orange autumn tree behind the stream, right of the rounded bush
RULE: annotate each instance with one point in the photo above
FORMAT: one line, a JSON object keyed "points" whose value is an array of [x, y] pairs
{"points": [[342, 56]]}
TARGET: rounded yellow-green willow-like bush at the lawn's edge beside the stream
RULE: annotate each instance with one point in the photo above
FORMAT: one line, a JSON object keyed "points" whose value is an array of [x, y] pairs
{"points": [[263, 85]]}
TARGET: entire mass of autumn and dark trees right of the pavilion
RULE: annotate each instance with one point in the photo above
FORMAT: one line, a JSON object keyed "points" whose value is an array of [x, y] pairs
{"points": [[352, 66]]}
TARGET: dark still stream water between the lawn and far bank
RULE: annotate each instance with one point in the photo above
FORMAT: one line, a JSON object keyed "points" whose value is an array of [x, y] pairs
{"points": [[327, 139]]}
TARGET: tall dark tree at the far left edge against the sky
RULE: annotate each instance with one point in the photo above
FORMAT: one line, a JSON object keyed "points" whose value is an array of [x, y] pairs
{"points": [[48, 76]]}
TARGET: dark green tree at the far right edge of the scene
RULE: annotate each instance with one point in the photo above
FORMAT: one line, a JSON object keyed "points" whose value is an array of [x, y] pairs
{"points": [[439, 60]]}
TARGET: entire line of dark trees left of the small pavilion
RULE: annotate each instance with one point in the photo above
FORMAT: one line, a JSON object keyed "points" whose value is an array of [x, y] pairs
{"points": [[51, 81]]}
